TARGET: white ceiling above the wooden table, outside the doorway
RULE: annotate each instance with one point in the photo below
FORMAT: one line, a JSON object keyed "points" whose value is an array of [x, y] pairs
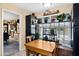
{"points": [[37, 7]]}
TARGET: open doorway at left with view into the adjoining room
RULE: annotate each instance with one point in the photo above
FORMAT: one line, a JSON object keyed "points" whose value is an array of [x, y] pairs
{"points": [[11, 33]]}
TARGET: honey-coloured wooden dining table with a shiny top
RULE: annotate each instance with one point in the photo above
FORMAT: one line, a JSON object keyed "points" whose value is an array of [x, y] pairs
{"points": [[42, 47]]}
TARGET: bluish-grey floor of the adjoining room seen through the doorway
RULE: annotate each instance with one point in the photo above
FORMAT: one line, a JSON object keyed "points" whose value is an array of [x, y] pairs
{"points": [[11, 48]]}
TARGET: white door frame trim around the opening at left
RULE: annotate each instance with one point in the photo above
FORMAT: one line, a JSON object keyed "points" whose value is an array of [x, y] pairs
{"points": [[19, 27]]}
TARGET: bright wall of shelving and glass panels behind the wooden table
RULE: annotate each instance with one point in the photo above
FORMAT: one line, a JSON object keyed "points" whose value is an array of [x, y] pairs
{"points": [[54, 29]]}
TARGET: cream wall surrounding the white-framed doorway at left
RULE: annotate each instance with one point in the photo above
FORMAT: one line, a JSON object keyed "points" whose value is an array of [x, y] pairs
{"points": [[22, 26]]}
